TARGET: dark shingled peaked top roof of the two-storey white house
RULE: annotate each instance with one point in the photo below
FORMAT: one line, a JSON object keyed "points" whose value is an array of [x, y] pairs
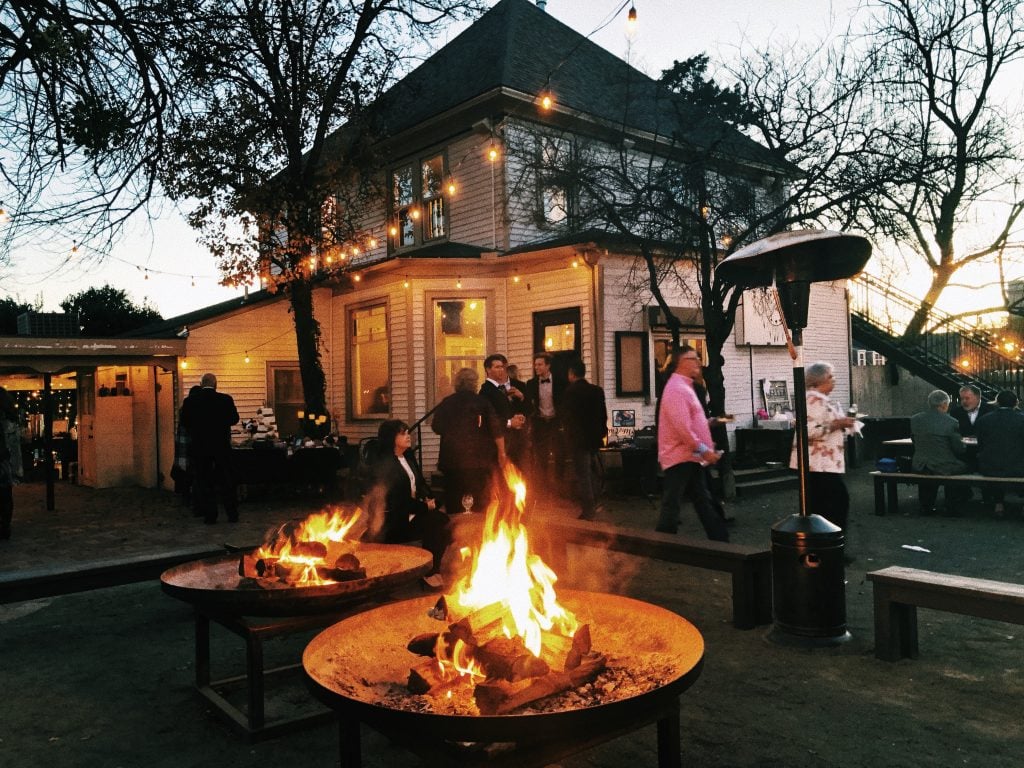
{"points": [[519, 47]]}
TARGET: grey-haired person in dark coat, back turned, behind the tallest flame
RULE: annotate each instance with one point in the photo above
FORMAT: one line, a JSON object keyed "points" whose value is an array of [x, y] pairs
{"points": [[473, 445]]}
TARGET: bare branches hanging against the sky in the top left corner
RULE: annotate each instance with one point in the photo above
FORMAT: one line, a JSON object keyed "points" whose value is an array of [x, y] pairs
{"points": [[83, 98]]}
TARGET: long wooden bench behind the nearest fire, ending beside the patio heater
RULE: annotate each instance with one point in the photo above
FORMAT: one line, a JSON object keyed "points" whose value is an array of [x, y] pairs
{"points": [[749, 567]]}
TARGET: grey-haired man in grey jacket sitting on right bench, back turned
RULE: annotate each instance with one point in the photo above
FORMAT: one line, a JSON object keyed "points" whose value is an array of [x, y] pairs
{"points": [[938, 450]]}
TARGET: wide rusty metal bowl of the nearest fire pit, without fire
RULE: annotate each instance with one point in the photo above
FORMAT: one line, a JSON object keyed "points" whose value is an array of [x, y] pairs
{"points": [[356, 664]]}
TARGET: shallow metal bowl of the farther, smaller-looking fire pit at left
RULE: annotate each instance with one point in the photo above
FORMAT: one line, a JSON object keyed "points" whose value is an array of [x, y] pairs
{"points": [[215, 585]]}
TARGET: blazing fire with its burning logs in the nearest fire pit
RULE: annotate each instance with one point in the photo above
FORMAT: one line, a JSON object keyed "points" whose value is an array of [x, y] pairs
{"points": [[508, 641]]}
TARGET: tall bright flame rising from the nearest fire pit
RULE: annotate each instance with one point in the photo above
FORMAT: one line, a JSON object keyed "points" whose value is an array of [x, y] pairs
{"points": [[504, 571]]}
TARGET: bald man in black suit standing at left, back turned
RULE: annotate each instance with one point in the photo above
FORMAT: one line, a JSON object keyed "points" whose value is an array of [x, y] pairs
{"points": [[208, 415]]}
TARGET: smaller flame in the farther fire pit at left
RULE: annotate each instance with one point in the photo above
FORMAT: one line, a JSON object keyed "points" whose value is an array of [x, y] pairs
{"points": [[328, 528]]}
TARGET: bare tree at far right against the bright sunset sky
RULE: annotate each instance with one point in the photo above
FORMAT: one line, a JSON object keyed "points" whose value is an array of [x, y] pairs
{"points": [[947, 156]]}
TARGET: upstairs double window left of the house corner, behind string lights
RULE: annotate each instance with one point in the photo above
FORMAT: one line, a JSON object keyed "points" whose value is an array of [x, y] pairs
{"points": [[420, 215]]}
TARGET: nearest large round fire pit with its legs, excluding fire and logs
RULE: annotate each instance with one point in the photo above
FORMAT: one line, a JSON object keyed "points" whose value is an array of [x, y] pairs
{"points": [[360, 667]]}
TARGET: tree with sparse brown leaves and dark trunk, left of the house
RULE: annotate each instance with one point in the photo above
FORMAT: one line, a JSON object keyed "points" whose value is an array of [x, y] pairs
{"points": [[270, 87]]}
